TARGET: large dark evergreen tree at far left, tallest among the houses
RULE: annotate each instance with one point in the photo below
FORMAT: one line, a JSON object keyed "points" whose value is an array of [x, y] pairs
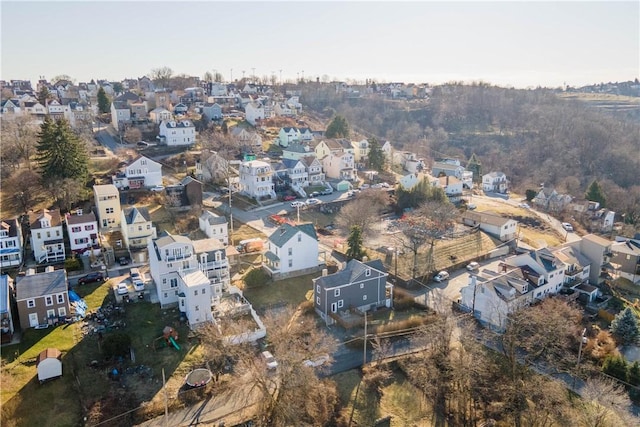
{"points": [[60, 153]]}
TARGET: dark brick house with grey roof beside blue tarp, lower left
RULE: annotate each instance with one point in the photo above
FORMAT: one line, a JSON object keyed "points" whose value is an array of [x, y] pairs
{"points": [[42, 297]]}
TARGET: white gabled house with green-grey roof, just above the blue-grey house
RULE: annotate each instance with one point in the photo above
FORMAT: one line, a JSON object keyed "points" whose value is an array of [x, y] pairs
{"points": [[292, 250]]}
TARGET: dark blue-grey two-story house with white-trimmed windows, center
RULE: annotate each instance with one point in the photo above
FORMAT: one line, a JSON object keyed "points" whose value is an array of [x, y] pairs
{"points": [[359, 286]]}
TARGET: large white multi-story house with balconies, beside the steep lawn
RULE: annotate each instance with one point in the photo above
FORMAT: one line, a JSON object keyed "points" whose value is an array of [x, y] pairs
{"points": [[190, 279]]}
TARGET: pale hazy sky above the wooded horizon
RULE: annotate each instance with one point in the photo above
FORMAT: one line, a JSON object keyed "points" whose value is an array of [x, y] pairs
{"points": [[515, 44]]}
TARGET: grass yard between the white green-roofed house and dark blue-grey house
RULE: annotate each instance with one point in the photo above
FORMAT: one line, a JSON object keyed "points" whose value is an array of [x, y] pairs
{"points": [[291, 291]]}
